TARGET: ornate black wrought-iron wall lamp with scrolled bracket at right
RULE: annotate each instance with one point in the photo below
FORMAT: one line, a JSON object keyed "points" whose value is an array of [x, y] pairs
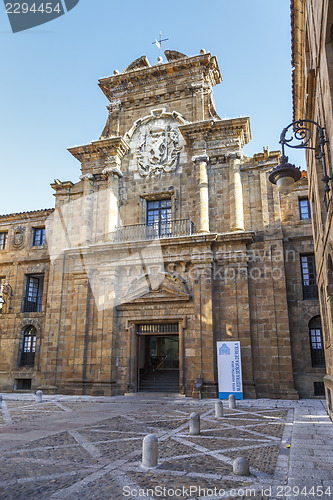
{"points": [[285, 174]]}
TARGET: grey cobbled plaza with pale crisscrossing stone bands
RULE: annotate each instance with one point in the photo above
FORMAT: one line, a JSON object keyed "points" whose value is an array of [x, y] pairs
{"points": [[80, 447]]}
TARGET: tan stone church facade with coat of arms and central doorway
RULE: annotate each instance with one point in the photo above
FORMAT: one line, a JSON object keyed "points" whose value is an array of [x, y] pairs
{"points": [[171, 241]]}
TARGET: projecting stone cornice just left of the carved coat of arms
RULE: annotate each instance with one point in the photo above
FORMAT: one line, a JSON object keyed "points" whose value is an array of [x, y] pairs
{"points": [[115, 146]]}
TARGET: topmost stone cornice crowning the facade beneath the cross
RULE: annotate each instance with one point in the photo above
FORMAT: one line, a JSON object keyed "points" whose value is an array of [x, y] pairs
{"points": [[130, 82]]}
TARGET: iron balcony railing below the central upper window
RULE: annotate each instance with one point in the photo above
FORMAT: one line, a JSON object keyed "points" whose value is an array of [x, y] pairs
{"points": [[159, 230]]}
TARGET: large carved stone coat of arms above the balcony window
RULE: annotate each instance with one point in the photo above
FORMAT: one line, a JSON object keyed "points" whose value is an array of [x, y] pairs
{"points": [[158, 151]]}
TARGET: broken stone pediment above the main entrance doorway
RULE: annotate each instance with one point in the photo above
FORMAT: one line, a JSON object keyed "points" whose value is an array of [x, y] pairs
{"points": [[171, 289]]}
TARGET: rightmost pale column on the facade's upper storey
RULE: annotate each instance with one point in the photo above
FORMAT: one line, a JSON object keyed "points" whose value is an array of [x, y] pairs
{"points": [[236, 194]]}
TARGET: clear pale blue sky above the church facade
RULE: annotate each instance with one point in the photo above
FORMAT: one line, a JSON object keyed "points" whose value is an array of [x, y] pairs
{"points": [[50, 100]]}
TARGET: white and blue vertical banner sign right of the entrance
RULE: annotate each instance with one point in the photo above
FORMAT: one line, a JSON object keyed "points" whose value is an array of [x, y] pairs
{"points": [[229, 369]]}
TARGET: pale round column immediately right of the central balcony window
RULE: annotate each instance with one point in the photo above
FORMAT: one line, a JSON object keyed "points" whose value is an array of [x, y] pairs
{"points": [[201, 178]]}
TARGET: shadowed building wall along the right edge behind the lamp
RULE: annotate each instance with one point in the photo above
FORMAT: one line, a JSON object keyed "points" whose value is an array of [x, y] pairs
{"points": [[312, 60]]}
